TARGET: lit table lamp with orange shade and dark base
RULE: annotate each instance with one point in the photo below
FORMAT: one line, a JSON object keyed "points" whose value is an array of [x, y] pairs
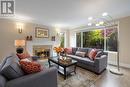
{"points": [[19, 44]]}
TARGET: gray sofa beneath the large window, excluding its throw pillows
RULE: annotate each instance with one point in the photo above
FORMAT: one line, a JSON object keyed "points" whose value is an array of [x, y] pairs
{"points": [[98, 65]]}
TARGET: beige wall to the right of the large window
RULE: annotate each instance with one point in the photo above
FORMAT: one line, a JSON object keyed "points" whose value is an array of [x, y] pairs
{"points": [[124, 39]]}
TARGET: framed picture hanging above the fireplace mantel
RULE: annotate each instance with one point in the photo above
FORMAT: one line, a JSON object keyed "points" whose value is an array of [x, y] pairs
{"points": [[41, 32]]}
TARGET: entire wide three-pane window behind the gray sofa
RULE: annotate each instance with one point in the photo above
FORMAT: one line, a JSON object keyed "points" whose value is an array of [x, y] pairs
{"points": [[99, 38]]}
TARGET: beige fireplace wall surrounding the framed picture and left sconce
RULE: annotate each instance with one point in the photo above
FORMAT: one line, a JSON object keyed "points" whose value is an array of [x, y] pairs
{"points": [[9, 33]]}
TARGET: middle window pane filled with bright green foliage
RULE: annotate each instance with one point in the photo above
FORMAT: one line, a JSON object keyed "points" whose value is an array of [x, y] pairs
{"points": [[93, 39]]}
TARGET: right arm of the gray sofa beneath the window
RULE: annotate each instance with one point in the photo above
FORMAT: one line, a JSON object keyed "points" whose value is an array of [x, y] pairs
{"points": [[100, 63]]}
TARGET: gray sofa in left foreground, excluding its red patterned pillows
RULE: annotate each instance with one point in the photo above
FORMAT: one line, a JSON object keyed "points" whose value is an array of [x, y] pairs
{"points": [[45, 78]]}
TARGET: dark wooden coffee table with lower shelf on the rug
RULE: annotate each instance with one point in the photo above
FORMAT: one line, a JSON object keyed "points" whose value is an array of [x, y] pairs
{"points": [[64, 69]]}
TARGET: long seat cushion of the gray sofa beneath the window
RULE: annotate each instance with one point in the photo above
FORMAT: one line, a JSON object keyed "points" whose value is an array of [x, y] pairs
{"points": [[84, 60]]}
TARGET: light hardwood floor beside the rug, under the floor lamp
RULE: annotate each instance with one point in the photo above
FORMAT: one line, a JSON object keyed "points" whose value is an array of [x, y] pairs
{"points": [[111, 80]]}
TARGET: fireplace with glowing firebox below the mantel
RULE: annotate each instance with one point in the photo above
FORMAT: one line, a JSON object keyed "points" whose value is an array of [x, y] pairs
{"points": [[42, 50]]}
